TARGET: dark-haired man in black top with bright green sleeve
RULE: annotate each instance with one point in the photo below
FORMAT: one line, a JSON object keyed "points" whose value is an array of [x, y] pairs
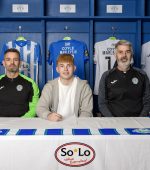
{"points": [[18, 93]]}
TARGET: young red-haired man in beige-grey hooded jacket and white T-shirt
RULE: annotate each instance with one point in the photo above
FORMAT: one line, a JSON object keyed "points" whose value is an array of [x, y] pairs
{"points": [[66, 95]]}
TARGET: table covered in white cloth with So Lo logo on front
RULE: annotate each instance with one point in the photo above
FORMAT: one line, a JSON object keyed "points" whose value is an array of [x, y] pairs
{"points": [[37, 152]]}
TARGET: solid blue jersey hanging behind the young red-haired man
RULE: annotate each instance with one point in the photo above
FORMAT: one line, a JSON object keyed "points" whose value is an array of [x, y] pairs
{"points": [[77, 49]]}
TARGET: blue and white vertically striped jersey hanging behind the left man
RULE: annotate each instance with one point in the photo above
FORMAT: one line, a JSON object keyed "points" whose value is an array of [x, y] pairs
{"points": [[30, 54]]}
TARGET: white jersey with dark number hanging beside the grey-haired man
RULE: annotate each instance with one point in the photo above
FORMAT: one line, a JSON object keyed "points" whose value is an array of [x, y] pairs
{"points": [[104, 59]]}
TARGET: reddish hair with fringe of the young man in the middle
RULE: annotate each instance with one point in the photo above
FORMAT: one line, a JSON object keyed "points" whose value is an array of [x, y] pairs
{"points": [[67, 58]]}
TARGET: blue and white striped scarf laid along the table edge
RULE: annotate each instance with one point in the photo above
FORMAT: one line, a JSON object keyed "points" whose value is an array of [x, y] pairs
{"points": [[100, 131]]}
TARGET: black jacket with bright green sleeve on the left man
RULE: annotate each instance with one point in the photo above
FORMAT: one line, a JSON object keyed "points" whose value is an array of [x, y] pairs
{"points": [[18, 96]]}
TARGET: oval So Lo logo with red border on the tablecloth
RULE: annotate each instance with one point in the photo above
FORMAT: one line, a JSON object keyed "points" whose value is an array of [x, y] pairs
{"points": [[74, 154]]}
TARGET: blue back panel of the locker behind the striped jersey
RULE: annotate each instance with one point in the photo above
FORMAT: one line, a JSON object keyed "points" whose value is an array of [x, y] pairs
{"points": [[30, 32]]}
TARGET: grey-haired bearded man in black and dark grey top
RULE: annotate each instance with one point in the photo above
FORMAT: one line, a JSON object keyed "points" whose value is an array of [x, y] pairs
{"points": [[124, 91]]}
